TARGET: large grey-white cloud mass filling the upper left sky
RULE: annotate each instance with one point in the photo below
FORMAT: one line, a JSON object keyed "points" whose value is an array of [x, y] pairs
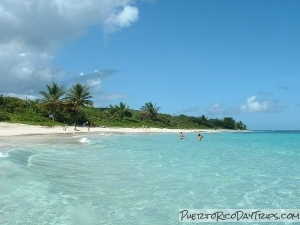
{"points": [[33, 30]]}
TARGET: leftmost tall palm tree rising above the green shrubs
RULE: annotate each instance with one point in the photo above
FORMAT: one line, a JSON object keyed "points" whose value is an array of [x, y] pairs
{"points": [[52, 97]]}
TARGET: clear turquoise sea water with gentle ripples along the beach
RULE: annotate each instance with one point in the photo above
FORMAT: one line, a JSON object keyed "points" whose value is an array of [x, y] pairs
{"points": [[101, 178]]}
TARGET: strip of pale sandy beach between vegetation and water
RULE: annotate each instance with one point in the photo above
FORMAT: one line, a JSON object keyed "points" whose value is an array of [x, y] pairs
{"points": [[13, 129]]}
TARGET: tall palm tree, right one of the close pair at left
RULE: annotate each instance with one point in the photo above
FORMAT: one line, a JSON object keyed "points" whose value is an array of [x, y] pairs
{"points": [[78, 96]]}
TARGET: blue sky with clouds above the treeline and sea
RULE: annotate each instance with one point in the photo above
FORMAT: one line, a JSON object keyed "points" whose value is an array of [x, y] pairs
{"points": [[210, 57]]}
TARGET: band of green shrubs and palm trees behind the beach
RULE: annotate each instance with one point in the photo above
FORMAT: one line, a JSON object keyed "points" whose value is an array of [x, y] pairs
{"points": [[77, 108]]}
